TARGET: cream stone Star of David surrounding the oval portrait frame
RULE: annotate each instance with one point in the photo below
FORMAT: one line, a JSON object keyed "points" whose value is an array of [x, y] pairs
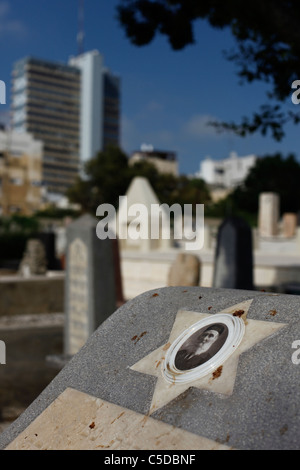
{"points": [[223, 383]]}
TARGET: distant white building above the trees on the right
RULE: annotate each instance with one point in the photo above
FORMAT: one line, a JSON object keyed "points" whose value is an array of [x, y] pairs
{"points": [[227, 173]]}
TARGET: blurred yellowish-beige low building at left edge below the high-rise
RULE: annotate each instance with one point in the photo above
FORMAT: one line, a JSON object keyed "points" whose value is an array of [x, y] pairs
{"points": [[20, 173]]}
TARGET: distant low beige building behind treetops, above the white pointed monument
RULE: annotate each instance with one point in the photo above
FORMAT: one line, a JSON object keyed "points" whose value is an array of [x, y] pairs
{"points": [[164, 161]]}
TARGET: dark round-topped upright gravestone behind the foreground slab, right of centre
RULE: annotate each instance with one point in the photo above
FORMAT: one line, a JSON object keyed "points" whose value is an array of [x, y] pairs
{"points": [[233, 258]]}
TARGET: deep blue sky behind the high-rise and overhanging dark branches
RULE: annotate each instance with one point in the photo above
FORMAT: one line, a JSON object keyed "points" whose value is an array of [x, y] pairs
{"points": [[167, 96]]}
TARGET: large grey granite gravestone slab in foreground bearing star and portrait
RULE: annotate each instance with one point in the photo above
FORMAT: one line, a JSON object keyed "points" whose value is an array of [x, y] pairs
{"points": [[117, 393]]}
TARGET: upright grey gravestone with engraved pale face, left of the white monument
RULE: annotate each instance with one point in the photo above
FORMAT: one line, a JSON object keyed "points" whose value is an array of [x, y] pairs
{"points": [[90, 285]]}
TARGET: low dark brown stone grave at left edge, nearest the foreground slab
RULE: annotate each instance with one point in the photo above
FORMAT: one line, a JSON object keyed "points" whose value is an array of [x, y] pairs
{"points": [[29, 339]]}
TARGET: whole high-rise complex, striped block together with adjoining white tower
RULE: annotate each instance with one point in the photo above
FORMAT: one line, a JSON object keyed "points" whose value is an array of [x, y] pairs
{"points": [[73, 108]]}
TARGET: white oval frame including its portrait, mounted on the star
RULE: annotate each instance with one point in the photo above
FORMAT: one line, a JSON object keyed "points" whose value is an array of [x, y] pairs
{"points": [[202, 348]]}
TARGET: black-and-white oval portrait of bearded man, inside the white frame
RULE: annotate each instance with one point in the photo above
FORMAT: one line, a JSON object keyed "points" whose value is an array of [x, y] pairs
{"points": [[201, 346]]}
